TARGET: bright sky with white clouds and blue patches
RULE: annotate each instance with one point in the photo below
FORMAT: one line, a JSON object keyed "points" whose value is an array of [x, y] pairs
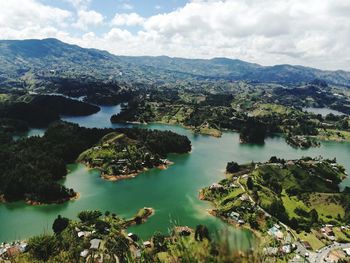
{"points": [[312, 33]]}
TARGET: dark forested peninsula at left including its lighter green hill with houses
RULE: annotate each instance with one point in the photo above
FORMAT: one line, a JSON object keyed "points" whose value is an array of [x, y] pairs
{"points": [[32, 167]]}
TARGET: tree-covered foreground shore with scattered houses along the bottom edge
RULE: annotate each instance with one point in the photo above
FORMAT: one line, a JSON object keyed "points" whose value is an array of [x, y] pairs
{"points": [[98, 237]]}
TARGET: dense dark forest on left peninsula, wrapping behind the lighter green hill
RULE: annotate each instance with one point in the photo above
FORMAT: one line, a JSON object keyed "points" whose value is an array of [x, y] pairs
{"points": [[31, 167]]}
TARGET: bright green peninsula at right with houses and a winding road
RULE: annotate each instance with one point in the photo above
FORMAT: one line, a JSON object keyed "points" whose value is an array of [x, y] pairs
{"points": [[291, 205]]}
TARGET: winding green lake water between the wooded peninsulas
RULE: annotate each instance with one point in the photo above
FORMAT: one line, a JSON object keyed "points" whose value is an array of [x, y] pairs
{"points": [[173, 193]]}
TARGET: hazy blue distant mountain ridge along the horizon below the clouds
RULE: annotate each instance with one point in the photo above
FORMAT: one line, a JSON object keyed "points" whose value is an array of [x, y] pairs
{"points": [[20, 60]]}
